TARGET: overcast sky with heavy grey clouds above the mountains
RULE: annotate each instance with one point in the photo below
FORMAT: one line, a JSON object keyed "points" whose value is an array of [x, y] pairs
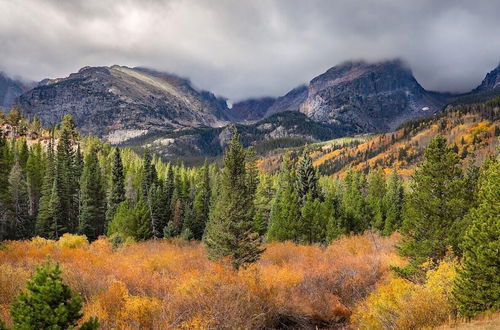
{"points": [[241, 49]]}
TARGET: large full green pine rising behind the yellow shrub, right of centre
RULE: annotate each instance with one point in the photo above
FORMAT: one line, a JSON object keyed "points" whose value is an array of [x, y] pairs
{"points": [[435, 207]]}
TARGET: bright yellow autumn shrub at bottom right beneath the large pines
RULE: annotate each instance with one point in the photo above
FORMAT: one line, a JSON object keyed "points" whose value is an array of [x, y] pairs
{"points": [[401, 304]]}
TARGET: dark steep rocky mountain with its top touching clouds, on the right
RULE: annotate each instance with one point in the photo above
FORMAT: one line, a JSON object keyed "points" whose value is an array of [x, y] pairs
{"points": [[374, 97]]}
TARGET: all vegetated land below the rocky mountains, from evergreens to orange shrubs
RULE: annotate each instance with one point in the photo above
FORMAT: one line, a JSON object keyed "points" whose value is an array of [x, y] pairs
{"points": [[149, 244]]}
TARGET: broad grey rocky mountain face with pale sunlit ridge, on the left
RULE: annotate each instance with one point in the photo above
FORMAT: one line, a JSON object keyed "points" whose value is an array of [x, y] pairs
{"points": [[103, 100]]}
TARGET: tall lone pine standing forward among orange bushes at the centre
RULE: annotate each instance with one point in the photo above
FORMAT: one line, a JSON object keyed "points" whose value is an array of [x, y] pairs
{"points": [[229, 232]]}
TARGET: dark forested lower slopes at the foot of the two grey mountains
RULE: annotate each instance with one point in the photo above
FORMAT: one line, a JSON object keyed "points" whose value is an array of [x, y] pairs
{"points": [[280, 130]]}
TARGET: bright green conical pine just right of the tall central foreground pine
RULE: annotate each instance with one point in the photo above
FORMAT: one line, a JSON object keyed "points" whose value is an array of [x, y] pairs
{"points": [[284, 219]]}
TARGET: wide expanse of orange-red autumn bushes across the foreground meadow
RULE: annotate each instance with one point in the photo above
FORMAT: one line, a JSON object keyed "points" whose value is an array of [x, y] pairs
{"points": [[171, 284]]}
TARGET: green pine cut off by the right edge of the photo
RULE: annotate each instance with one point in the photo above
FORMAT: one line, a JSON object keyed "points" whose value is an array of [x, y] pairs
{"points": [[477, 286]]}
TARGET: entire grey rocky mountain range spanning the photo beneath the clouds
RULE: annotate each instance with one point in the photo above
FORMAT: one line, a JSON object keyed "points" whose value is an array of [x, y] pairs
{"points": [[139, 106]]}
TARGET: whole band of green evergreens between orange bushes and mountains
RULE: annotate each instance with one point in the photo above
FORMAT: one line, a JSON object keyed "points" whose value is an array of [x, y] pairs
{"points": [[81, 185]]}
